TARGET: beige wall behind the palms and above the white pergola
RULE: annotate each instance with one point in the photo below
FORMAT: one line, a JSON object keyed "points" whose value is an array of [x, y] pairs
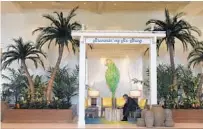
{"points": [[22, 24]]}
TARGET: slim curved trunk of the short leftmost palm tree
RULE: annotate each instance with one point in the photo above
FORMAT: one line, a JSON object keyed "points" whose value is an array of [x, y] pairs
{"points": [[30, 81]]}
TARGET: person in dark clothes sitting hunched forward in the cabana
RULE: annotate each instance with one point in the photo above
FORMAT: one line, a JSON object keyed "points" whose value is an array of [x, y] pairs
{"points": [[130, 105]]}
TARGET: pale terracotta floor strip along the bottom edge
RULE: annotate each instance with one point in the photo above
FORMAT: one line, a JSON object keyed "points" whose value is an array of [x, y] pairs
{"points": [[74, 126]]}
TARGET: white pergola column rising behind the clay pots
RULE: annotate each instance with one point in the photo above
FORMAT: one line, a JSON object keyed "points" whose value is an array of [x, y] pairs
{"points": [[153, 72]]}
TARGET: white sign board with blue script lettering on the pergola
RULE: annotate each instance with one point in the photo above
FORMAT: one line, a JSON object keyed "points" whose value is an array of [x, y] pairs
{"points": [[118, 40]]}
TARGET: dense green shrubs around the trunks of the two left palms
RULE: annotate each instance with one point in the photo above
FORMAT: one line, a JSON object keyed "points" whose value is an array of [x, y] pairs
{"points": [[66, 86]]}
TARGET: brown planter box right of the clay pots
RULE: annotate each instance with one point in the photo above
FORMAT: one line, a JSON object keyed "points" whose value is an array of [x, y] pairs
{"points": [[188, 115]]}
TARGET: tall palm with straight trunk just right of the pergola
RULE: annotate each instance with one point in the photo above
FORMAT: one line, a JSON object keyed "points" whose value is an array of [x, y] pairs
{"points": [[175, 28]]}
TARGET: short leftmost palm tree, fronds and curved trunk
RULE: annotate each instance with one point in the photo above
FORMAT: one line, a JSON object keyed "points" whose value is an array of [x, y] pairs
{"points": [[23, 51]]}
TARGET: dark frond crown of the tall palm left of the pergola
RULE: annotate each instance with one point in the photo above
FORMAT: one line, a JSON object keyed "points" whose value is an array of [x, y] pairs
{"points": [[59, 30]]}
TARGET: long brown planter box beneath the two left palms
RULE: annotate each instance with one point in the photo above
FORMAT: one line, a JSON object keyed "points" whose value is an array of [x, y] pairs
{"points": [[38, 116]]}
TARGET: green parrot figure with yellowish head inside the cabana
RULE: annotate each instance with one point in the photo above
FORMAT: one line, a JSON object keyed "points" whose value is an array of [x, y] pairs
{"points": [[112, 76]]}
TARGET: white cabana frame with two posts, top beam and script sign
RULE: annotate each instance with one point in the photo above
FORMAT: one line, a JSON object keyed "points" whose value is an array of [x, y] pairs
{"points": [[115, 37]]}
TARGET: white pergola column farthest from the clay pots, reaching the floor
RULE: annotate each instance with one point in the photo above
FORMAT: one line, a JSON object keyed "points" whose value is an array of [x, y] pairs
{"points": [[82, 78]]}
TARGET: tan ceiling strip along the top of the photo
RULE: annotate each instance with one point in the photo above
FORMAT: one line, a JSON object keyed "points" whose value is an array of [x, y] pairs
{"points": [[102, 7]]}
